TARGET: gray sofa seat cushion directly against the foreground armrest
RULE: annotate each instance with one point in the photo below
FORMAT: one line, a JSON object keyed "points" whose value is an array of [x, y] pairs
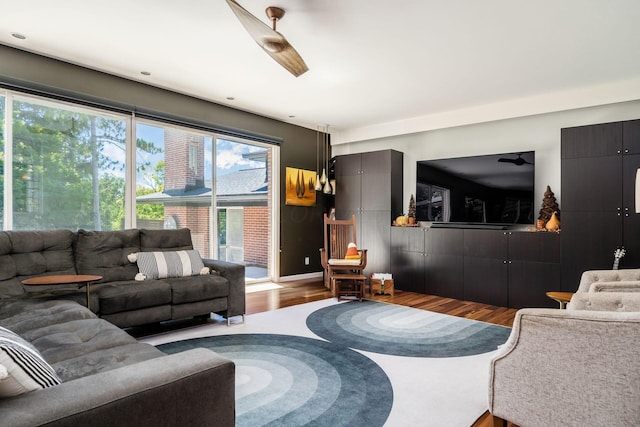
{"points": [[105, 360]]}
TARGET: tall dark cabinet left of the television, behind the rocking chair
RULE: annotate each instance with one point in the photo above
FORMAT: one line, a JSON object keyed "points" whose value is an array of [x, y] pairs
{"points": [[369, 185]]}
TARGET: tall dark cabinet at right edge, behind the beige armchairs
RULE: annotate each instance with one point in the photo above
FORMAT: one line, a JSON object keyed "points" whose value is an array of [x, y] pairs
{"points": [[599, 166]]}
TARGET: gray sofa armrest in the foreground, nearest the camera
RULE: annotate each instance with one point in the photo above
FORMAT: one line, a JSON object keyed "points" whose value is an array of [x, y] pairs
{"points": [[194, 387]]}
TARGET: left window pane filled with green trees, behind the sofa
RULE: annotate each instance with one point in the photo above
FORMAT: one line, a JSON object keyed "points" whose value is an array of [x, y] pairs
{"points": [[67, 167]]}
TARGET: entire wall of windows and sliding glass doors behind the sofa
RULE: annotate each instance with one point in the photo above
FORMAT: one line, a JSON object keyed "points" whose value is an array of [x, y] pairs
{"points": [[69, 166]]}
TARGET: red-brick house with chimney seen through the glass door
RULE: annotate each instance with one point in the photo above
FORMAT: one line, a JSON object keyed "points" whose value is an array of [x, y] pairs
{"points": [[187, 199]]}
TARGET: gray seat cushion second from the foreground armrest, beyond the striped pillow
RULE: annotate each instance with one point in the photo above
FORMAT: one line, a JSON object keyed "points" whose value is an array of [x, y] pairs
{"points": [[76, 338]]}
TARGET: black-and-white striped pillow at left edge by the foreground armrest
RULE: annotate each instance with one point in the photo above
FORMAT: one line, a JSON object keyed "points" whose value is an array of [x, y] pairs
{"points": [[22, 368]]}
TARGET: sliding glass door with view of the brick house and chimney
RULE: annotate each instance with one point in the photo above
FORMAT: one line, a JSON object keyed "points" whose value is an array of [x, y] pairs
{"points": [[226, 207]]}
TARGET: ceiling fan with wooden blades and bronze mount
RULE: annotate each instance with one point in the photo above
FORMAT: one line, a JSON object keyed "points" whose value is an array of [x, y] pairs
{"points": [[269, 39]]}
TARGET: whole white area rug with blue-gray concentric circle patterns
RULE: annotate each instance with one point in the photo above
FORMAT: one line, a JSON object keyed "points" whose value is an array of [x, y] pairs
{"points": [[289, 375]]}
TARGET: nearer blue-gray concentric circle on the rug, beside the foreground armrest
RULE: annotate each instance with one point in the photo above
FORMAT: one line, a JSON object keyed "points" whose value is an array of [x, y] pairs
{"points": [[284, 380]]}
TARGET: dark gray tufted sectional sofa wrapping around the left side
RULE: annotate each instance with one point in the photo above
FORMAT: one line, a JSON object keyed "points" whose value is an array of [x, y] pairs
{"points": [[107, 377]]}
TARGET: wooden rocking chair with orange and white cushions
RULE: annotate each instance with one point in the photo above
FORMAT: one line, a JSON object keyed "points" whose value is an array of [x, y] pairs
{"points": [[338, 271]]}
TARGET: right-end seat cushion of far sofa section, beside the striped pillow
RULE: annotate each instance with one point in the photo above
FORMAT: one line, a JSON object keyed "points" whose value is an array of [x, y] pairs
{"points": [[198, 288]]}
